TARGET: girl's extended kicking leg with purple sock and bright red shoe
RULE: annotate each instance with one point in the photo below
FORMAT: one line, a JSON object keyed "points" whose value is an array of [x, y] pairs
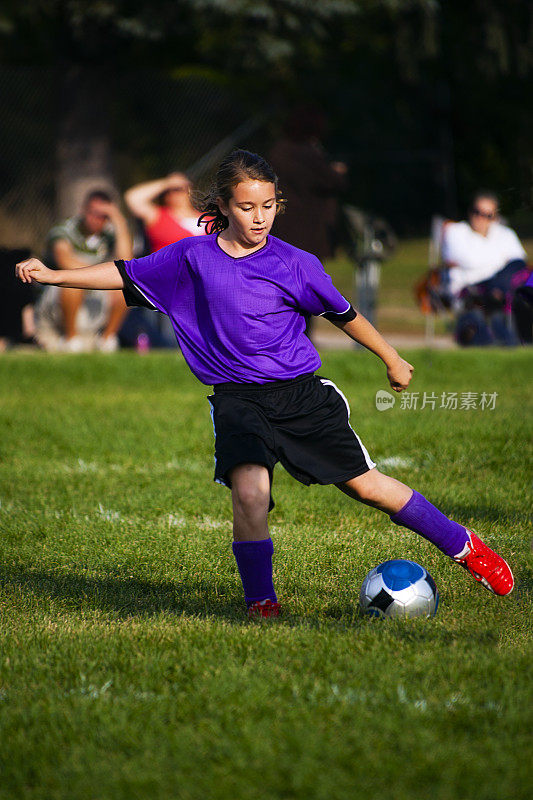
{"points": [[412, 510]]}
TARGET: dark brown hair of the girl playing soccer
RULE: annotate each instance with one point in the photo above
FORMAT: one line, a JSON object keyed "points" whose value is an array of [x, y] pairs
{"points": [[240, 165]]}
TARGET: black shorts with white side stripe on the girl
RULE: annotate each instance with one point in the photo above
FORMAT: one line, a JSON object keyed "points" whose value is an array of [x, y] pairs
{"points": [[303, 423]]}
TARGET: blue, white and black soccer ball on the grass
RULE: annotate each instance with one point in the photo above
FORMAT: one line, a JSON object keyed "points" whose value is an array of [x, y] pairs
{"points": [[399, 588]]}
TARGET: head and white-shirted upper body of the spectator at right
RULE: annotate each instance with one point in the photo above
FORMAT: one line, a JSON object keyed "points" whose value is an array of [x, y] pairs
{"points": [[482, 251]]}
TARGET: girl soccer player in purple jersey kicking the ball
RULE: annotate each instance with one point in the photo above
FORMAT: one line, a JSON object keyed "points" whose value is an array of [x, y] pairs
{"points": [[237, 299]]}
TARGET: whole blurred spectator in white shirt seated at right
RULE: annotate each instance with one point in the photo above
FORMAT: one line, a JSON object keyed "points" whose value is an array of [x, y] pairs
{"points": [[482, 258]]}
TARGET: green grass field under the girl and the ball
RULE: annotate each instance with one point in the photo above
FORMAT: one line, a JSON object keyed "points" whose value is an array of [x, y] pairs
{"points": [[127, 667]]}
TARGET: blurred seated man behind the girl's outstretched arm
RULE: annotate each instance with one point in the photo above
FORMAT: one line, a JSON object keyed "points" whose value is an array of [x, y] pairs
{"points": [[99, 232]]}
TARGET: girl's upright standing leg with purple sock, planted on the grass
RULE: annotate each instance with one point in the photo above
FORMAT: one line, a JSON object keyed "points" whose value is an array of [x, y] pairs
{"points": [[252, 546]]}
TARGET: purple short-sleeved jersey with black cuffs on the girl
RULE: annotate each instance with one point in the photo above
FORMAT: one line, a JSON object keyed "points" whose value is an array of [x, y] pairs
{"points": [[239, 320]]}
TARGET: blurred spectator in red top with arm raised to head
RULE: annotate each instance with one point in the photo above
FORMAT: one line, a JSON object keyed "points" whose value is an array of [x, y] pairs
{"points": [[166, 209]]}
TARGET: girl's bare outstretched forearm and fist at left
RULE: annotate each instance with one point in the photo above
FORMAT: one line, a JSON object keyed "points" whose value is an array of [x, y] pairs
{"points": [[101, 276]]}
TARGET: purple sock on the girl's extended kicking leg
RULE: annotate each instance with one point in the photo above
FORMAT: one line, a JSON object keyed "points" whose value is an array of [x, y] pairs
{"points": [[420, 516]]}
